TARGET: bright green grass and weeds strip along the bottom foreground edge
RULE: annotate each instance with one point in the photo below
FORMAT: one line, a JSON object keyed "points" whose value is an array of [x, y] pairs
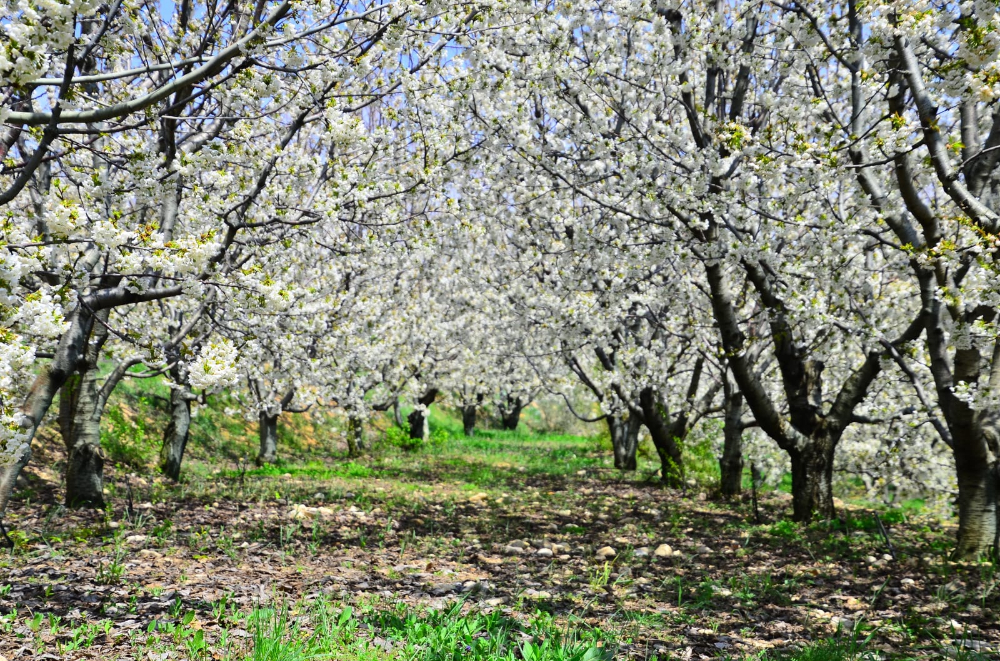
{"points": [[322, 629]]}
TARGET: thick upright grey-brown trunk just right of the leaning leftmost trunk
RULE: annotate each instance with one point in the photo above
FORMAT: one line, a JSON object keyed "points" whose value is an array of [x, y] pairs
{"points": [[80, 424]]}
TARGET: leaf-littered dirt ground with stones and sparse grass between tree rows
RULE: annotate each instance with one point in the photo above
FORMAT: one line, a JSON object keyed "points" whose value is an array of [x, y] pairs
{"points": [[587, 547]]}
